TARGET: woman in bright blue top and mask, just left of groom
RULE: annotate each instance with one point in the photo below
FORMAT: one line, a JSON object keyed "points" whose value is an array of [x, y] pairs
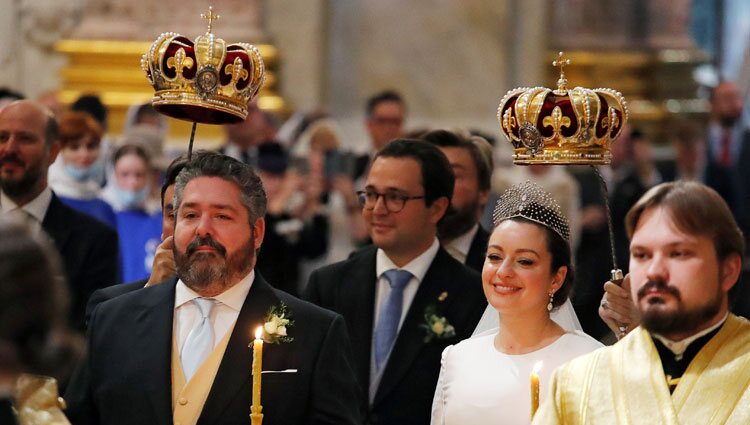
{"points": [[139, 228]]}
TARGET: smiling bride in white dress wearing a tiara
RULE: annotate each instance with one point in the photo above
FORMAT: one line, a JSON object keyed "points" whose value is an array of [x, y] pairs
{"points": [[527, 273]]}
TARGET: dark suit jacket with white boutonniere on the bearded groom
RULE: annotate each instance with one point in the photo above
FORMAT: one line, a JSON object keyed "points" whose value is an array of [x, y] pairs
{"points": [[126, 378]]}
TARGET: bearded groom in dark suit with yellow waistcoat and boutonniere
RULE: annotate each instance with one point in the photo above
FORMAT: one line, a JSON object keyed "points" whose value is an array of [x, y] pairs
{"points": [[177, 352]]}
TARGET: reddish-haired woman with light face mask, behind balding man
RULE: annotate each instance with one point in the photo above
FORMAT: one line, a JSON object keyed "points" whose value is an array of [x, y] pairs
{"points": [[73, 177]]}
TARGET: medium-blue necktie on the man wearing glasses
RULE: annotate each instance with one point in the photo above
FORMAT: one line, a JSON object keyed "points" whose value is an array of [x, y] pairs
{"points": [[390, 315]]}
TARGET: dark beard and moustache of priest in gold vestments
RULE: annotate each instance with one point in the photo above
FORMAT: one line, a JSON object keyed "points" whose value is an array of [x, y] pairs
{"points": [[657, 319]]}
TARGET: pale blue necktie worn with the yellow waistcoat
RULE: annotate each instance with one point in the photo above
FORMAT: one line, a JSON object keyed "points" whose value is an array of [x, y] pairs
{"points": [[200, 340]]}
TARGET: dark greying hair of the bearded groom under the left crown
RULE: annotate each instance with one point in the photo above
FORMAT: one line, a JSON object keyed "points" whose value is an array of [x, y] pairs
{"points": [[213, 164]]}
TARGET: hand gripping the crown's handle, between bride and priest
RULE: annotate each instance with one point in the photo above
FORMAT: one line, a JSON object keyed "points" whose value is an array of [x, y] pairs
{"points": [[617, 308]]}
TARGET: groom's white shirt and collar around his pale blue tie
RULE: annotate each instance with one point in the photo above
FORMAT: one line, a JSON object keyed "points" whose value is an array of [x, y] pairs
{"points": [[223, 315]]}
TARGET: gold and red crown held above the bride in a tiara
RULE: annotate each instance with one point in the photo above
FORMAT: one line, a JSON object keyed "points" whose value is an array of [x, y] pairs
{"points": [[562, 126]]}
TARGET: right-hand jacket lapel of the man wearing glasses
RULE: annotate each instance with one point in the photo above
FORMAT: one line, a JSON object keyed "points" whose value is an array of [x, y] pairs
{"points": [[410, 340]]}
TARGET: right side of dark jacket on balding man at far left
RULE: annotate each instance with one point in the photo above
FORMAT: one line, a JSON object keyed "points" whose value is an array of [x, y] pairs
{"points": [[89, 252]]}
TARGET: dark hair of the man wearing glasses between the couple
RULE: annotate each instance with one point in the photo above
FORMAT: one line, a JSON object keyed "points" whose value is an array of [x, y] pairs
{"points": [[437, 175]]}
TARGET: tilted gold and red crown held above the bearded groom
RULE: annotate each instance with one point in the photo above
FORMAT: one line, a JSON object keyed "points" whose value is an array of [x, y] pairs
{"points": [[207, 81]]}
